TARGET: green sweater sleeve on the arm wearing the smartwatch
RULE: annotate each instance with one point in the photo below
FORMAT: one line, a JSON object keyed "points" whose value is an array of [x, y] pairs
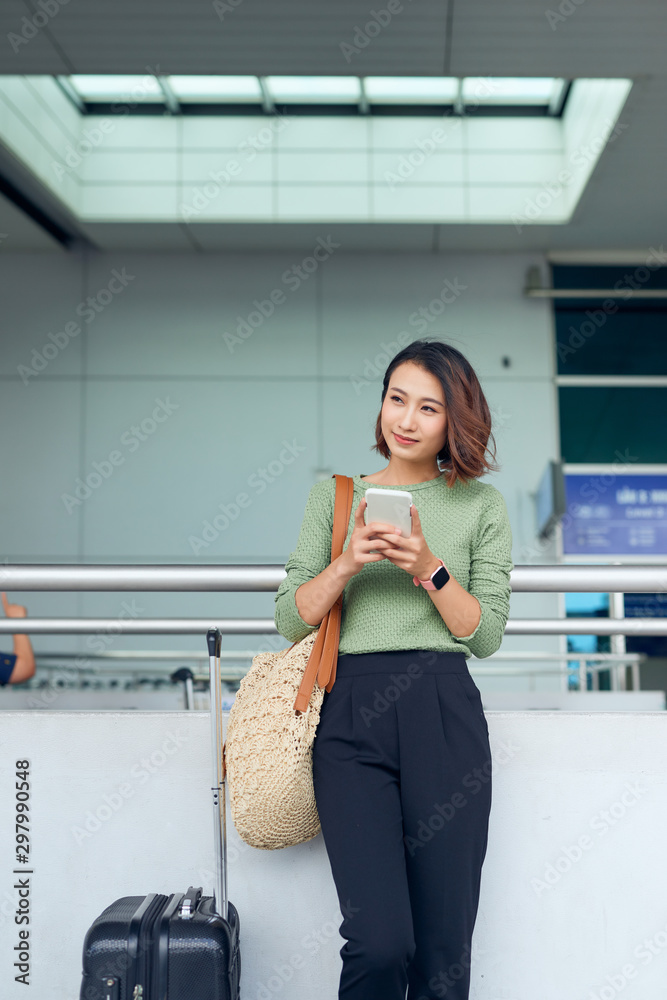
{"points": [[490, 568]]}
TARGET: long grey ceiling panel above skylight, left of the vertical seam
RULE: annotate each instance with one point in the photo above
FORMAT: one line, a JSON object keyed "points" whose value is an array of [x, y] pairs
{"points": [[256, 37]]}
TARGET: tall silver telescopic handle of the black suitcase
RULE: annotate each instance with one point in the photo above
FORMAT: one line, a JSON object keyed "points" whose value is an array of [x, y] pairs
{"points": [[214, 642]]}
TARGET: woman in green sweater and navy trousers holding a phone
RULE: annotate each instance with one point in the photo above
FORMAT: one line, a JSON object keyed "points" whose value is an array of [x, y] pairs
{"points": [[401, 758]]}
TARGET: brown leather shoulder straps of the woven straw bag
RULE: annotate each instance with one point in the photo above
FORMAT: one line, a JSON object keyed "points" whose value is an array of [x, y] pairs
{"points": [[324, 654]]}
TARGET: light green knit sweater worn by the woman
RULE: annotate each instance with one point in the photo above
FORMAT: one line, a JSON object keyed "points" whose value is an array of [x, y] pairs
{"points": [[465, 525]]}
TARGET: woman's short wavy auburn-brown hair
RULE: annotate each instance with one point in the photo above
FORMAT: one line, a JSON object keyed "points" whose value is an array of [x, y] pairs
{"points": [[466, 409]]}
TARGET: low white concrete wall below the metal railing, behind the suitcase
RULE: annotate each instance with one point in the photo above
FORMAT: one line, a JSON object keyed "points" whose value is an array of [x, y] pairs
{"points": [[571, 902]]}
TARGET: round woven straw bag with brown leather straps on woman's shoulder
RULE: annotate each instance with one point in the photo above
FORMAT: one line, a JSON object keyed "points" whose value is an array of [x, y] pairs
{"points": [[268, 751]]}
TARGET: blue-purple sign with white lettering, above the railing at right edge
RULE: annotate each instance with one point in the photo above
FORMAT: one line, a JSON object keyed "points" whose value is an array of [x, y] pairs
{"points": [[615, 514]]}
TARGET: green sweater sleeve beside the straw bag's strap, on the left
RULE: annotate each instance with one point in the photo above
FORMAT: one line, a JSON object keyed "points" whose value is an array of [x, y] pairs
{"points": [[311, 555]]}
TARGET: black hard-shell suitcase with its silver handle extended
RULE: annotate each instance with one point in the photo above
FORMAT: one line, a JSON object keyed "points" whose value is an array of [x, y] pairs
{"points": [[182, 946]]}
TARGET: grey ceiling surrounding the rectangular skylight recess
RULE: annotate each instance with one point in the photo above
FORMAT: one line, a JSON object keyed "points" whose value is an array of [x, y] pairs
{"points": [[623, 204]]}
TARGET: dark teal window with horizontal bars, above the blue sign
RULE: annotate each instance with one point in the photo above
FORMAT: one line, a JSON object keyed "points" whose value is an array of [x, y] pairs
{"points": [[611, 359]]}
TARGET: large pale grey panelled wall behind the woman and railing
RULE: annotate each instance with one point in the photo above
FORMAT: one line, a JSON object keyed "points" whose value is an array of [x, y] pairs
{"points": [[310, 373]]}
